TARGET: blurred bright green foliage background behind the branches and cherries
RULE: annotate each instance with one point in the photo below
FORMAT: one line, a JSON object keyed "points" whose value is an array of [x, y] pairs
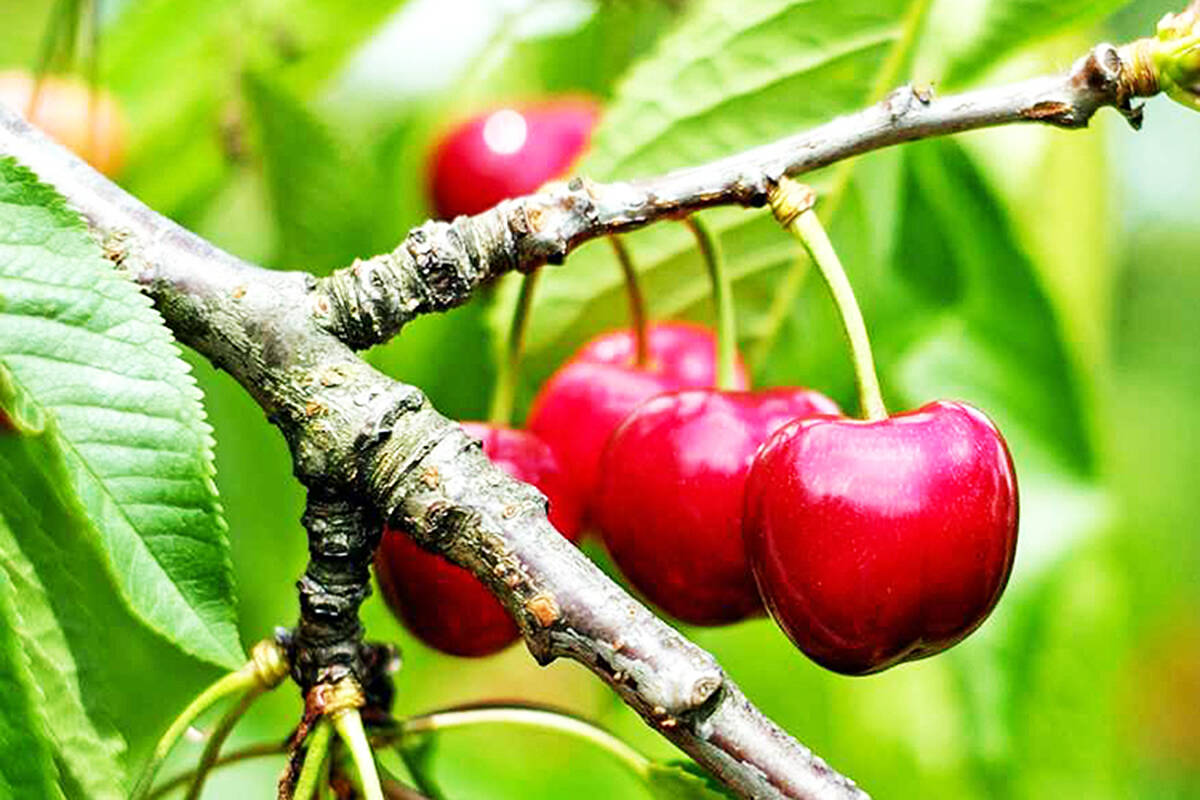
{"points": [[1049, 276]]}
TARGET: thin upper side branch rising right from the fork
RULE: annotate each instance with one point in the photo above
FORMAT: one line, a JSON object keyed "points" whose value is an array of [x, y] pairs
{"points": [[441, 264]]}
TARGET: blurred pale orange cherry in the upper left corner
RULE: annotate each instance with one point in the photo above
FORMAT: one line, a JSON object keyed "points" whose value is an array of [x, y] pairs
{"points": [[91, 124]]}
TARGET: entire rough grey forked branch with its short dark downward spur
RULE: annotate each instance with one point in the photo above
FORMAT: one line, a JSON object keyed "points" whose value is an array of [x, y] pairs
{"points": [[370, 449]]}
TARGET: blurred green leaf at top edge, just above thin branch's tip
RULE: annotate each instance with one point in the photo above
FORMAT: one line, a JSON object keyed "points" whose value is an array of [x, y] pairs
{"points": [[1012, 25]]}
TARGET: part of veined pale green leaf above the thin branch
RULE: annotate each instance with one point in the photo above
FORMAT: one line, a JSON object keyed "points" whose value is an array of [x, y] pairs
{"points": [[733, 76]]}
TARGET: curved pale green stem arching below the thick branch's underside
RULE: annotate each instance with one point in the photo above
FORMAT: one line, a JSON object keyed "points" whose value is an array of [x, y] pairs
{"points": [[530, 717]]}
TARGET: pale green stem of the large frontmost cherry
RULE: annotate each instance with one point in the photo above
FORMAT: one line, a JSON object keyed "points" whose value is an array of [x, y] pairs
{"points": [[793, 204]]}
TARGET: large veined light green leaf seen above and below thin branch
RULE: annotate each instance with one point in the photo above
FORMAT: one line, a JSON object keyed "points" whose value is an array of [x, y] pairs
{"points": [[730, 77]]}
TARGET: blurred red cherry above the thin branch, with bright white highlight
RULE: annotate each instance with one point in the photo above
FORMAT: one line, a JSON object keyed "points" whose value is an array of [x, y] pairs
{"points": [[508, 153]]}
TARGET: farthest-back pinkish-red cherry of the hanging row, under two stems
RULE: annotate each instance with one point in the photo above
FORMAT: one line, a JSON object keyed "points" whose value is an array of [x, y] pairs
{"points": [[587, 399]]}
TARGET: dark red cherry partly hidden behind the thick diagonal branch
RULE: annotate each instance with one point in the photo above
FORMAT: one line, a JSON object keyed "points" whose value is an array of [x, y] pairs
{"points": [[445, 605]]}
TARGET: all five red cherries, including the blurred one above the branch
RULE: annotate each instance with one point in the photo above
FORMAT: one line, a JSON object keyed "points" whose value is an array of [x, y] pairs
{"points": [[871, 542]]}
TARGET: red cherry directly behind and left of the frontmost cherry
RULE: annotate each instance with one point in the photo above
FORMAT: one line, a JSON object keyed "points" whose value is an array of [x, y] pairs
{"points": [[670, 497]]}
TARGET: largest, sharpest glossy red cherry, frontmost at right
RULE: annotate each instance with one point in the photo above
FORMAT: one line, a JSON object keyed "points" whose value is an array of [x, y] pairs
{"points": [[877, 543]]}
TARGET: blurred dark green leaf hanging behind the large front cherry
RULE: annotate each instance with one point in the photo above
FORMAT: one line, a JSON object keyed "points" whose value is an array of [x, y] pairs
{"points": [[964, 316]]}
